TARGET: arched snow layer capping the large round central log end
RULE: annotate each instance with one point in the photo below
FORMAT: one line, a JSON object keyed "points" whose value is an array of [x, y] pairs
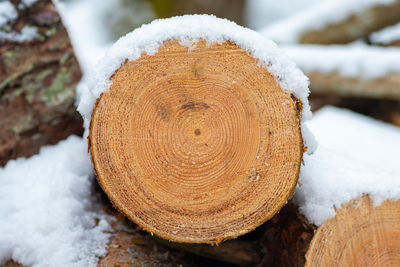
{"points": [[188, 30]]}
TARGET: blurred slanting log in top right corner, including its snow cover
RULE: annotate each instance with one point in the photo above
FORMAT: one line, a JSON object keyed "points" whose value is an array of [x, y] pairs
{"points": [[318, 25]]}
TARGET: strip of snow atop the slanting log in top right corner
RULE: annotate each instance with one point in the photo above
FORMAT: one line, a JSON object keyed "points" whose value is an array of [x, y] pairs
{"points": [[317, 17]]}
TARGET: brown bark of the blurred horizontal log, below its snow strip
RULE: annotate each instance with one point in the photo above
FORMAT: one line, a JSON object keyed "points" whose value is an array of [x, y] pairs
{"points": [[386, 87]]}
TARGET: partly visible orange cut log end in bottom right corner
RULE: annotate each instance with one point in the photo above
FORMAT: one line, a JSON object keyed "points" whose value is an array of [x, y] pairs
{"points": [[359, 235]]}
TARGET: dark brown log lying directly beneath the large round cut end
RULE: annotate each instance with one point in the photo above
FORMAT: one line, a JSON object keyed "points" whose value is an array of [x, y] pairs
{"points": [[130, 245]]}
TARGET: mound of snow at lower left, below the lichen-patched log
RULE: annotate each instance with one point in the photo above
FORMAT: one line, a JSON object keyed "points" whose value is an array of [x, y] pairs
{"points": [[46, 213]]}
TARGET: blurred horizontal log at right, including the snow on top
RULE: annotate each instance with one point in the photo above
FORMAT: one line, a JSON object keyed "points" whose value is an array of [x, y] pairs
{"points": [[350, 71]]}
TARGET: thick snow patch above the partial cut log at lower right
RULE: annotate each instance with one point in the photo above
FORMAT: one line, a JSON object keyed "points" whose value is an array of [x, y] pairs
{"points": [[356, 155]]}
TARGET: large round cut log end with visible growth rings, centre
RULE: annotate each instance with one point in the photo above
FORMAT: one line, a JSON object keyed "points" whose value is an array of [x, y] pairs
{"points": [[197, 145]]}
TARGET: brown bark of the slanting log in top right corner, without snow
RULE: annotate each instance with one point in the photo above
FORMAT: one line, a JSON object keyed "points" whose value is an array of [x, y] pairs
{"points": [[356, 26]]}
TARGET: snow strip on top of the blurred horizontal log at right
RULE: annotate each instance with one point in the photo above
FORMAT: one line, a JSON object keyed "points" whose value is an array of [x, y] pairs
{"points": [[356, 60]]}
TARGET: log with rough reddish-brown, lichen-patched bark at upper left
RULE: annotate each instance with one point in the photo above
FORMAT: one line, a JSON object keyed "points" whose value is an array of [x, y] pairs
{"points": [[37, 82]]}
